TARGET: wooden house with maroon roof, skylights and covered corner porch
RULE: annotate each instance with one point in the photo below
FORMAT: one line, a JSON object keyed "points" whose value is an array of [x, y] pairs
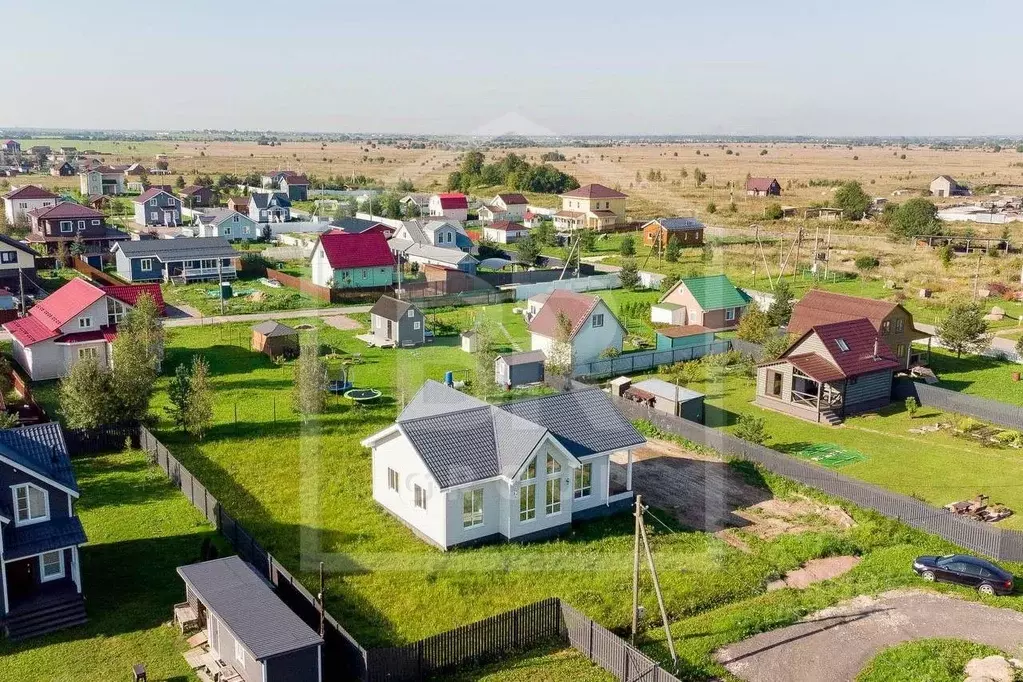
{"points": [[831, 372]]}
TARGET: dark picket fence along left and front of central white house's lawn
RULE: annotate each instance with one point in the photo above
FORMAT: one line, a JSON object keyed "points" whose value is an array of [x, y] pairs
{"points": [[344, 659]]}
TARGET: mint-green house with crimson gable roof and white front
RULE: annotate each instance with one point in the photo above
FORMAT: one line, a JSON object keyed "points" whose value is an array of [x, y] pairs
{"points": [[352, 261]]}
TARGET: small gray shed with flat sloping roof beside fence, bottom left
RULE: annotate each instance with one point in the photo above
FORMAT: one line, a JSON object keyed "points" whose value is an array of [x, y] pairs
{"points": [[248, 626]]}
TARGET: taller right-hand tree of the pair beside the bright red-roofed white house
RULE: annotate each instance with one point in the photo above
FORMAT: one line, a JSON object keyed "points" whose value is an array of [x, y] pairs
{"points": [[137, 356]]}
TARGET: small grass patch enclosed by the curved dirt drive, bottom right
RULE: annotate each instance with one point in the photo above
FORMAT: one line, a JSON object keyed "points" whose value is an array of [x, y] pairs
{"points": [[925, 660]]}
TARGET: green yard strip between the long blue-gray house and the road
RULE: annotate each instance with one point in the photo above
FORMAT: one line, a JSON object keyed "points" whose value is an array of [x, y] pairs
{"points": [[203, 296]]}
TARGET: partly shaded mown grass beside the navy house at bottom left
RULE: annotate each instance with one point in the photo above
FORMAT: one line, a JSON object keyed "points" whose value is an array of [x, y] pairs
{"points": [[141, 529]]}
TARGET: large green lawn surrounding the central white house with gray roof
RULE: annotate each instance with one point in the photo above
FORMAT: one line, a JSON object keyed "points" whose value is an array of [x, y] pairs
{"points": [[303, 488]]}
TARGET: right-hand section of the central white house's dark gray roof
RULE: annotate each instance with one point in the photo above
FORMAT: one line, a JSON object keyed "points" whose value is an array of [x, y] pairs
{"points": [[585, 422]]}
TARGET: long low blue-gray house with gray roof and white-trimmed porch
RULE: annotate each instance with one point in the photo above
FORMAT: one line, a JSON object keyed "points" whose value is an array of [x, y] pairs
{"points": [[183, 260]]}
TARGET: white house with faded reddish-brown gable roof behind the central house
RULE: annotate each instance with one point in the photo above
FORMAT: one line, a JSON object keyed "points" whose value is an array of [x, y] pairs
{"points": [[573, 329]]}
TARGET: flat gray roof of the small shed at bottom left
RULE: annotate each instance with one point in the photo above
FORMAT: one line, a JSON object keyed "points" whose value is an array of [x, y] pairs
{"points": [[244, 602]]}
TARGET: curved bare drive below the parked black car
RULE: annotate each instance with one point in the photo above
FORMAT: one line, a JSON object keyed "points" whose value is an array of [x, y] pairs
{"points": [[835, 645]]}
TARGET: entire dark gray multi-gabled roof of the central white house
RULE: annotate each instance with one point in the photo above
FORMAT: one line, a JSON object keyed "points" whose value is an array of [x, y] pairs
{"points": [[463, 440]]}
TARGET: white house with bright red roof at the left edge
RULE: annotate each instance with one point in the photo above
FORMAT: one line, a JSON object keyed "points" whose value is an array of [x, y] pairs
{"points": [[76, 323]]}
